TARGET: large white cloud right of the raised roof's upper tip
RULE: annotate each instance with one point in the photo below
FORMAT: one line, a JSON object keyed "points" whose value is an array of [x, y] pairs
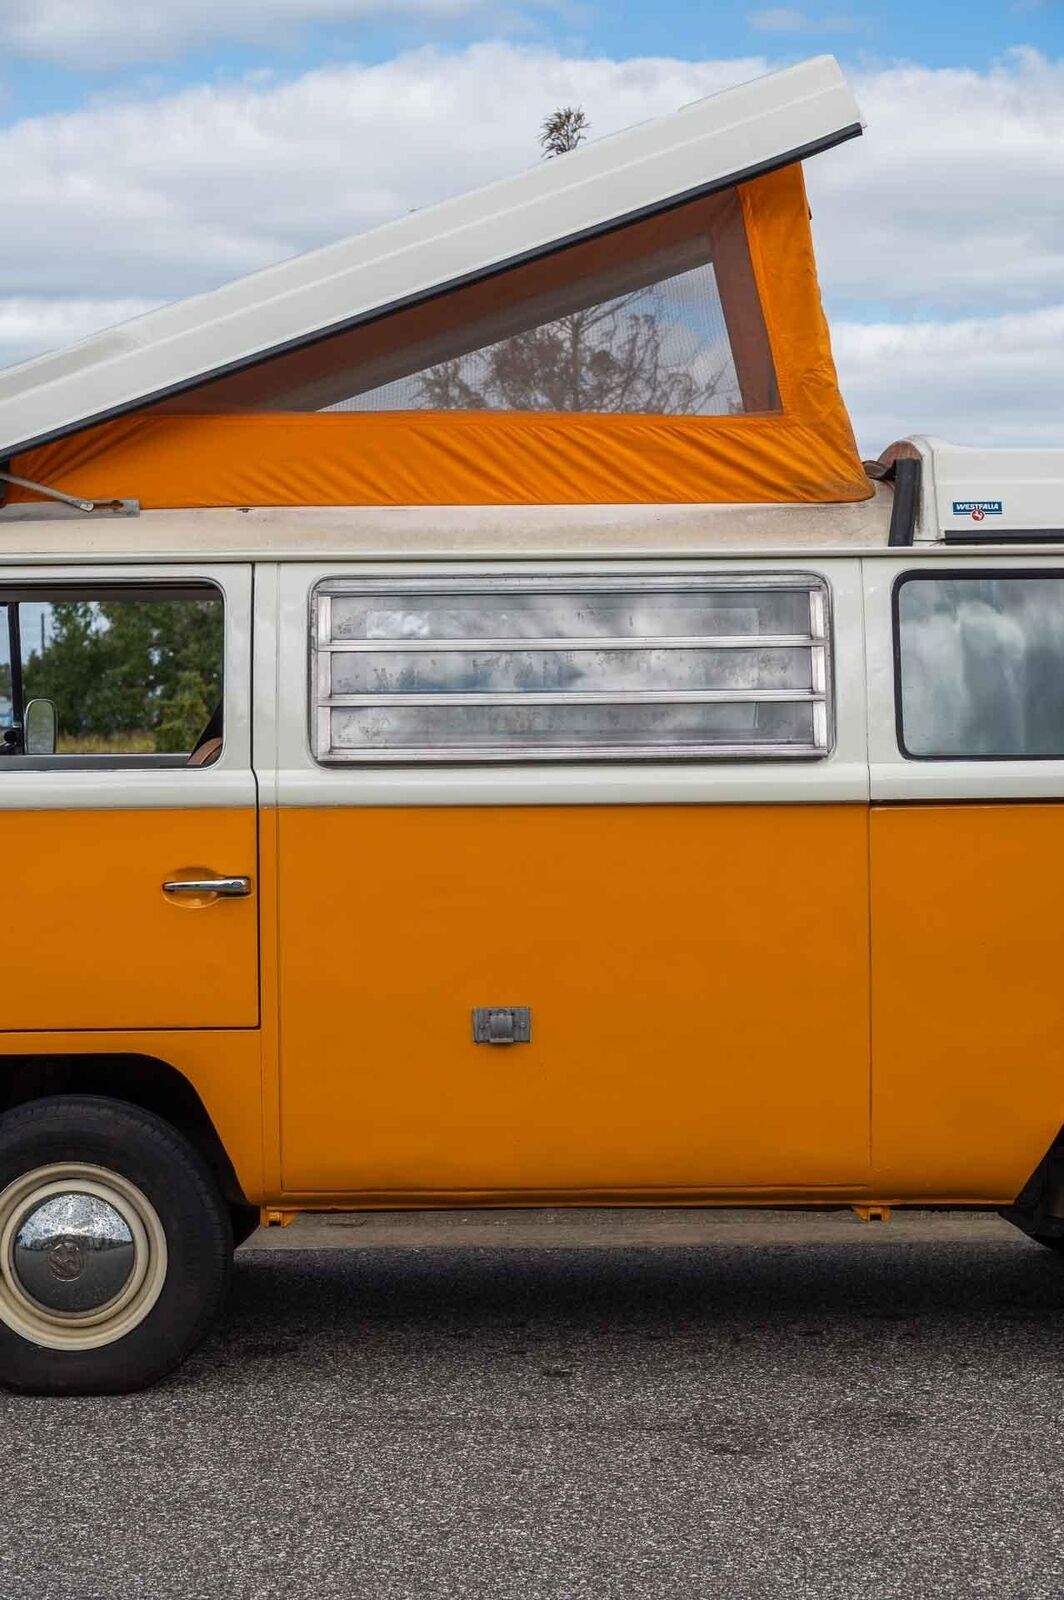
{"points": [[950, 202]]}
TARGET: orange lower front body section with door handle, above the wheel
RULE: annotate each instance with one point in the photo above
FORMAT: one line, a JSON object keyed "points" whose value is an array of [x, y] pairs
{"points": [[98, 961]]}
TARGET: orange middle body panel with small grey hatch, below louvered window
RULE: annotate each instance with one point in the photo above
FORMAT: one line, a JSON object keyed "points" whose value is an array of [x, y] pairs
{"points": [[697, 980]]}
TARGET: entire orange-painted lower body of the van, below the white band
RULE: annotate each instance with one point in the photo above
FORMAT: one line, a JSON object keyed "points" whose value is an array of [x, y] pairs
{"points": [[698, 980]]}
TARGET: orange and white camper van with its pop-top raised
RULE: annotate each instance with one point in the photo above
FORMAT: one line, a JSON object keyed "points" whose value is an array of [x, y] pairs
{"points": [[412, 799]]}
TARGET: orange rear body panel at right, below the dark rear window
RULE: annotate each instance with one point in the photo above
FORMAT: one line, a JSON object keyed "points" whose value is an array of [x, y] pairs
{"points": [[967, 998]]}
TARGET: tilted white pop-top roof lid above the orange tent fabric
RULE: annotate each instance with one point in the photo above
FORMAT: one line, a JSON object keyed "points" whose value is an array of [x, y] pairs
{"points": [[730, 138]]}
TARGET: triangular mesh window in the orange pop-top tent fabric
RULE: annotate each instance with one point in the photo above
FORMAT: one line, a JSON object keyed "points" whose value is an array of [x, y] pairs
{"points": [[657, 318]]}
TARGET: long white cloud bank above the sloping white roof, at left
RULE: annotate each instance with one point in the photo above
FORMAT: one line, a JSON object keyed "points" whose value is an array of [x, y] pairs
{"points": [[164, 198]]}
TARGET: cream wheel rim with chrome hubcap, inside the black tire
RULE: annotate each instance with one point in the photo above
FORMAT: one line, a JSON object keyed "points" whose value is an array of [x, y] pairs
{"points": [[82, 1257]]}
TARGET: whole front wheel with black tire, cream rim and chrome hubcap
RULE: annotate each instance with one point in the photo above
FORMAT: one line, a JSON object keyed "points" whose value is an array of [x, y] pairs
{"points": [[116, 1247]]}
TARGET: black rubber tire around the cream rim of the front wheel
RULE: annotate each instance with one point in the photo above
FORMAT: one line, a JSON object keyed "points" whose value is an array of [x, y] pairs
{"points": [[156, 1162]]}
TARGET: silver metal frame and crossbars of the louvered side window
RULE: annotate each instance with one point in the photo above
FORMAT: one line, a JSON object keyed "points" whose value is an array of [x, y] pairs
{"points": [[324, 647]]}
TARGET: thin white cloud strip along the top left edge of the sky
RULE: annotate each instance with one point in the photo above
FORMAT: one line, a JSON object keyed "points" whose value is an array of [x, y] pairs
{"points": [[87, 34]]}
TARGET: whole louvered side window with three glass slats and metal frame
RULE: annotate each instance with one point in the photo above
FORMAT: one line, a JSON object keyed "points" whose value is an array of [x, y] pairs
{"points": [[572, 670]]}
